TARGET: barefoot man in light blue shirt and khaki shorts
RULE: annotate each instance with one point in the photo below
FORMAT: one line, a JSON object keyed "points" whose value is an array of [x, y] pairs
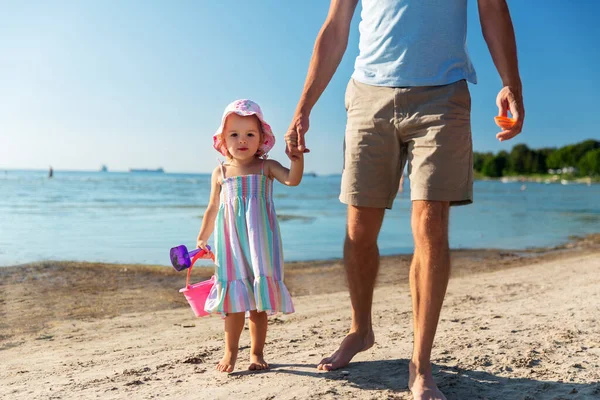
{"points": [[407, 102]]}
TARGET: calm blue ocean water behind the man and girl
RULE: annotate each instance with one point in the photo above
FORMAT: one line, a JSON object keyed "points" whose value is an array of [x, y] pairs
{"points": [[137, 217]]}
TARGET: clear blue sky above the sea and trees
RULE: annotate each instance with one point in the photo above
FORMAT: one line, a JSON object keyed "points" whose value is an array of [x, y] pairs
{"points": [[143, 84]]}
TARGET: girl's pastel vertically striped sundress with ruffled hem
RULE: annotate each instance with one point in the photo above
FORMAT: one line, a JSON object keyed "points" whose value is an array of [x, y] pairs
{"points": [[248, 250]]}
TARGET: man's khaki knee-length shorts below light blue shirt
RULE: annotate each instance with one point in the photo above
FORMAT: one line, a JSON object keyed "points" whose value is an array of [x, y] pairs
{"points": [[427, 127]]}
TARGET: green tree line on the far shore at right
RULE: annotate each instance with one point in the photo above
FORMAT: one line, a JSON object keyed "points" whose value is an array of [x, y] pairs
{"points": [[582, 159]]}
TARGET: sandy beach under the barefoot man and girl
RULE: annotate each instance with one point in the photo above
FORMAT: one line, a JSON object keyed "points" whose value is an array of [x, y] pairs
{"points": [[515, 325]]}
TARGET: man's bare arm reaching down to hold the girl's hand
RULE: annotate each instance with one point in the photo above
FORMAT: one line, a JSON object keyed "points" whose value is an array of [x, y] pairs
{"points": [[329, 49]]}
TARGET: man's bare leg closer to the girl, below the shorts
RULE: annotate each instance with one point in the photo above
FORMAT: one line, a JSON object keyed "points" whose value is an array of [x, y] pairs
{"points": [[361, 260]]}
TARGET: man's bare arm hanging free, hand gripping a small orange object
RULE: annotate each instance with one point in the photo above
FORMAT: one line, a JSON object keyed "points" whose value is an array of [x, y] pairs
{"points": [[499, 35]]}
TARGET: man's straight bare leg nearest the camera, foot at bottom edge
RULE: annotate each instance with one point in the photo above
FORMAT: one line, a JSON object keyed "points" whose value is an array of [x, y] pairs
{"points": [[429, 274]]}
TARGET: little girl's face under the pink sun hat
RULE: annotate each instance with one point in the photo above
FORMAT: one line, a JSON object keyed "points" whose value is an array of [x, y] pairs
{"points": [[242, 136]]}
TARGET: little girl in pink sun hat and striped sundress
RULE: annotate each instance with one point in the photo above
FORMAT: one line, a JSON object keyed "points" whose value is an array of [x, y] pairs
{"points": [[248, 250]]}
